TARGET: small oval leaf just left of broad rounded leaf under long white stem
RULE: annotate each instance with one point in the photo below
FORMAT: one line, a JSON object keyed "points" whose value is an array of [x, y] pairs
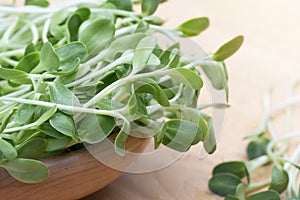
{"points": [[64, 124]]}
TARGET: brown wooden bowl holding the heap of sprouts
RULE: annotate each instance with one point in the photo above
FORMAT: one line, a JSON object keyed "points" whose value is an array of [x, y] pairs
{"points": [[72, 176]]}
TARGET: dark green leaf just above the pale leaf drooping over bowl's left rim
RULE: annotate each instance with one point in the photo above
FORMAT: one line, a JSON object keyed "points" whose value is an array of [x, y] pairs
{"points": [[33, 148]]}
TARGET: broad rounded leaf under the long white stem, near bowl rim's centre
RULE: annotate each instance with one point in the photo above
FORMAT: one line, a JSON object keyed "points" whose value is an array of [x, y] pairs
{"points": [[95, 128]]}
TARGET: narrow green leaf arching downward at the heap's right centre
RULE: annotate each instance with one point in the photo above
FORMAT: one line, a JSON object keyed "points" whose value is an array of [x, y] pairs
{"points": [[151, 87]]}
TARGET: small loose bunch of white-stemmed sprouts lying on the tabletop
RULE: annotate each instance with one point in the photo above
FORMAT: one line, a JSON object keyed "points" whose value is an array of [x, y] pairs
{"points": [[266, 147]]}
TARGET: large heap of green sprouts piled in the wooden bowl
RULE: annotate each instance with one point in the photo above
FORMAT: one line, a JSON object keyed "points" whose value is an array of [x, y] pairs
{"points": [[79, 73]]}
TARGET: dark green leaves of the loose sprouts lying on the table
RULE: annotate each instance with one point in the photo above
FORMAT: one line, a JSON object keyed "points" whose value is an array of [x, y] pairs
{"points": [[233, 179]]}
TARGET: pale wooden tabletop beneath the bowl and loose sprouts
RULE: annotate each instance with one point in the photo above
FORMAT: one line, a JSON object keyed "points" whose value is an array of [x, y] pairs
{"points": [[269, 56]]}
